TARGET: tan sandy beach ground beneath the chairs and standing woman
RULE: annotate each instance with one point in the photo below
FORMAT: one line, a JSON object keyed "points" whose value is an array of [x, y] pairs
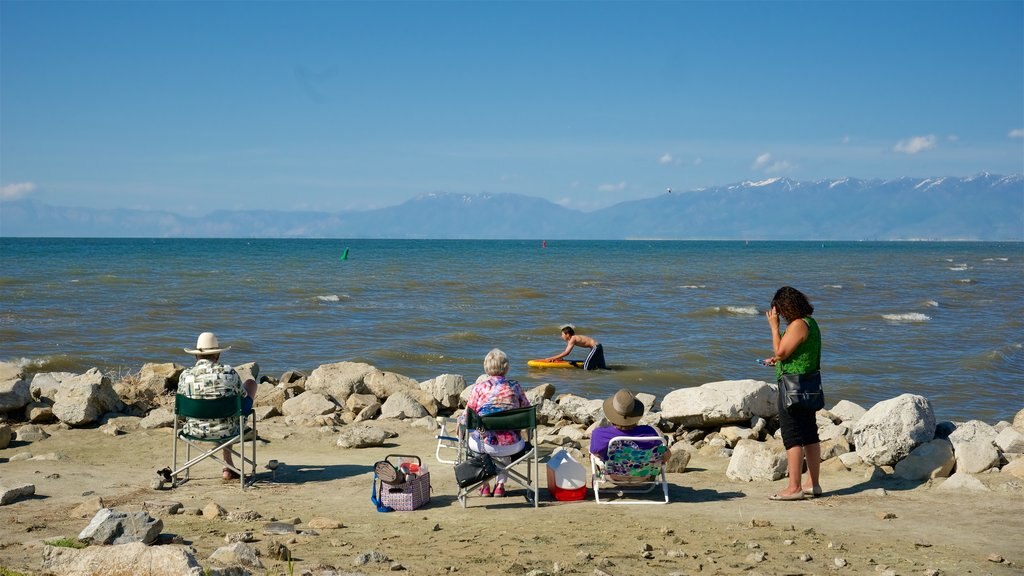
{"points": [[713, 525]]}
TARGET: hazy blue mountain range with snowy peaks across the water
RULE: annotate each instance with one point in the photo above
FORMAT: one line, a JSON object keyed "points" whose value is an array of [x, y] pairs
{"points": [[982, 208]]}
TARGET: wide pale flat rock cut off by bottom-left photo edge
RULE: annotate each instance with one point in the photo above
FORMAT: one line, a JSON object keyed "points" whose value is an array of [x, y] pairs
{"points": [[122, 560]]}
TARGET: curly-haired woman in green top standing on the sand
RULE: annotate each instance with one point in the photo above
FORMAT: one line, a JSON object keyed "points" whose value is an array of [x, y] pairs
{"points": [[798, 351]]}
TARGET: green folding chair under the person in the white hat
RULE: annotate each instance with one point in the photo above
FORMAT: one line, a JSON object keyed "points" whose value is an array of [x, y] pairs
{"points": [[209, 409]]}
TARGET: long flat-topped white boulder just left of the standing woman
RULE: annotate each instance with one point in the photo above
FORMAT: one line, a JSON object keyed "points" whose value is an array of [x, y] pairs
{"points": [[715, 404]]}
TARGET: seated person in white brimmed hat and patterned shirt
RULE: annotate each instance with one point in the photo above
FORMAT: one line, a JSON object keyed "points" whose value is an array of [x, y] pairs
{"points": [[210, 379]]}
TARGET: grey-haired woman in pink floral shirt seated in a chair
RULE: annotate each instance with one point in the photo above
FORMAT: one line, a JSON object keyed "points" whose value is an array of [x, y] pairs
{"points": [[494, 393]]}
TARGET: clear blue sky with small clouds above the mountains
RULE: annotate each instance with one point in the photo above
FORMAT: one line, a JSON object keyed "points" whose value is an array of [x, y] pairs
{"points": [[192, 107]]}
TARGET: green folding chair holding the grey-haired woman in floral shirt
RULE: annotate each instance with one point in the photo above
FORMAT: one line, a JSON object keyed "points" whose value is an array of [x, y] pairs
{"points": [[524, 470]]}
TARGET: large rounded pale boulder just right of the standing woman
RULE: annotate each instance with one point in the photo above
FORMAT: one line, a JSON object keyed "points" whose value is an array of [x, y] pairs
{"points": [[888, 432]]}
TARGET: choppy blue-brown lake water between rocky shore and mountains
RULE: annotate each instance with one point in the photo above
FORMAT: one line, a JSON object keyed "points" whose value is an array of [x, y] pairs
{"points": [[943, 320]]}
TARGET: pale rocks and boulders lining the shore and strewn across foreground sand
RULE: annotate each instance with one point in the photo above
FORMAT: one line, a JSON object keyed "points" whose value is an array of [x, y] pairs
{"points": [[355, 405]]}
